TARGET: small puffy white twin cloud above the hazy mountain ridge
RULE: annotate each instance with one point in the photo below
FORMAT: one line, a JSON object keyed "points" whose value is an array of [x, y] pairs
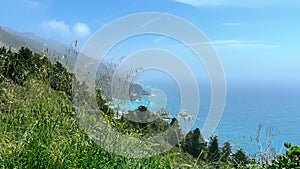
{"points": [[54, 27]]}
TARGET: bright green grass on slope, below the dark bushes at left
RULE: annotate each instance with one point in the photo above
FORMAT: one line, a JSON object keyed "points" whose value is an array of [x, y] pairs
{"points": [[40, 132]]}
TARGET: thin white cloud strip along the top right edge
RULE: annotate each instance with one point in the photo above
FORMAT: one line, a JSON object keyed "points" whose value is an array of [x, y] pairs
{"points": [[245, 3]]}
